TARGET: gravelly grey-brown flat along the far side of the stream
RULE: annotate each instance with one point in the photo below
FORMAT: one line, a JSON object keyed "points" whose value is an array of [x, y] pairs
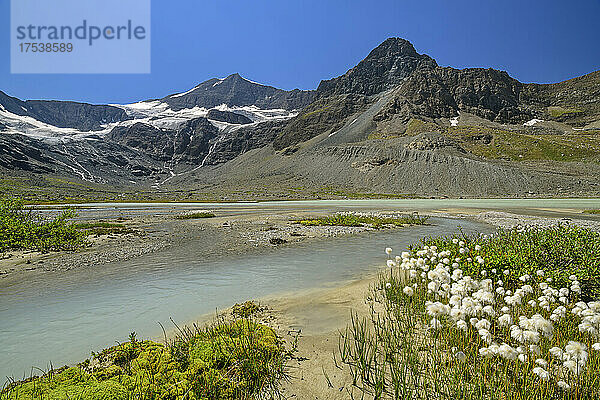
{"points": [[220, 236]]}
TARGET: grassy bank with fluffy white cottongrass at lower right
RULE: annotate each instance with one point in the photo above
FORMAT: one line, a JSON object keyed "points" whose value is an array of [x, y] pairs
{"points": [[509, 316]]}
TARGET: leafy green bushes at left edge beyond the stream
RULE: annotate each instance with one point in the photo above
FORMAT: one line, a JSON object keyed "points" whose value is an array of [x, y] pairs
{"points": [[24, 229]]}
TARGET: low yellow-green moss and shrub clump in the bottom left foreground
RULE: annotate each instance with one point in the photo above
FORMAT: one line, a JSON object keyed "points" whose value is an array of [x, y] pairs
{"points": [[228, 360]]}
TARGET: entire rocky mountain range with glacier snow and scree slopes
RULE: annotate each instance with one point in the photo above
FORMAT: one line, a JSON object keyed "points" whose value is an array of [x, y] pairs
{"points": [[397, 122]]}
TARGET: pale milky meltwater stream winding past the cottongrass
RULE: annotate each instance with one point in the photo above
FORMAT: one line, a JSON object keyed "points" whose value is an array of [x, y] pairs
{"points": [[62, 317]]}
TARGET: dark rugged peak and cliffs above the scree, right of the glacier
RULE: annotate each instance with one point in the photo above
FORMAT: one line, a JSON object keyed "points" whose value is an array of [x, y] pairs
{"points": [[422, 89]]}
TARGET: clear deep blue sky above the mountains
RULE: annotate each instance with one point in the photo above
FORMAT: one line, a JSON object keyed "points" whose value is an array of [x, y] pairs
{"points": [[294, 44]]}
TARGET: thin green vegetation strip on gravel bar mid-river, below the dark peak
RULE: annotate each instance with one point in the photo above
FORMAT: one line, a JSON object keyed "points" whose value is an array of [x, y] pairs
{"points": [[375, 221]]}
